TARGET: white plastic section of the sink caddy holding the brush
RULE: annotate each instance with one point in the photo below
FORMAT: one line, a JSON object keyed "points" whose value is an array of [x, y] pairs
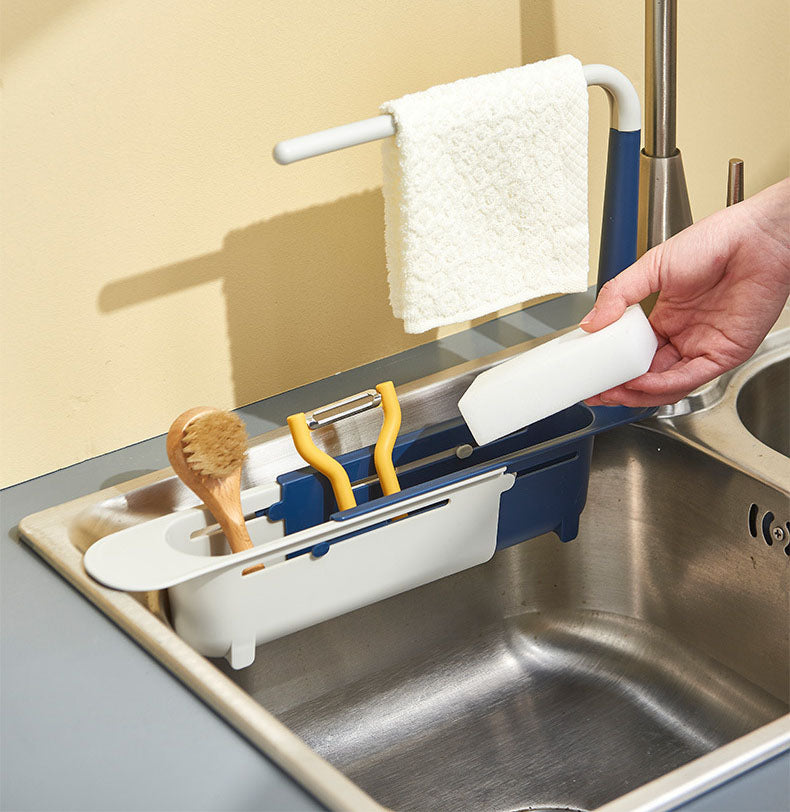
{"points": [[222, 612]]}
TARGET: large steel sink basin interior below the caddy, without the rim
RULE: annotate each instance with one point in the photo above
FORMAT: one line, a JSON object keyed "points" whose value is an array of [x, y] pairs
{"points": [[556, 675]]}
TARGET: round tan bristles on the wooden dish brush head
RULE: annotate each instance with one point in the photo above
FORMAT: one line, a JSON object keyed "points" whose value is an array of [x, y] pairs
{"points": [[215, 444]]}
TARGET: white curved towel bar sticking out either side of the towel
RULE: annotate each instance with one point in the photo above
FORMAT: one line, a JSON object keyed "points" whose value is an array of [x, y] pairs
{"points": [[624, 103]]}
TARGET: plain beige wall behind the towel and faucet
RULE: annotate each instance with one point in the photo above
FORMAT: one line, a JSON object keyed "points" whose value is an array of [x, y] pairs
{"points": [[155, 257]]}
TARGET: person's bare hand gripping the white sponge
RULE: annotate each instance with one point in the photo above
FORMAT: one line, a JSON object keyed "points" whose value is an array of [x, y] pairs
{"points": [[723, 283]]}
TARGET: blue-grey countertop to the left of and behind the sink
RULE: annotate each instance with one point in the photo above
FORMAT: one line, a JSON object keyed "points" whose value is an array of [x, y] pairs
{"points": [[88, 719]]}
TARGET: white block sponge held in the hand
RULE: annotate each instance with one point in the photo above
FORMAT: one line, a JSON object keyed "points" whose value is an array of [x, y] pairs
{"points": [[557, 374]]}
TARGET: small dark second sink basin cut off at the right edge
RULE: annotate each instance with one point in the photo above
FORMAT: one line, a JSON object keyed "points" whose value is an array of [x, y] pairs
{"points": [[763, 405]]}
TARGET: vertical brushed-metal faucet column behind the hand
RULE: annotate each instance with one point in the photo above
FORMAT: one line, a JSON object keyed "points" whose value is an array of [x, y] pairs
{"points": [[664, 207]]}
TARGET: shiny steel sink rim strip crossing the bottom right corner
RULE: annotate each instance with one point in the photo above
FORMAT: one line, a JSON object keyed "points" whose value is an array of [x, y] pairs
{"points": [[707, 772]]}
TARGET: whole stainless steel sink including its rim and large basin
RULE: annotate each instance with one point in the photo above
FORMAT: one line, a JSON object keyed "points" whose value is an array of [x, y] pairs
{"points": [[556, 676]]}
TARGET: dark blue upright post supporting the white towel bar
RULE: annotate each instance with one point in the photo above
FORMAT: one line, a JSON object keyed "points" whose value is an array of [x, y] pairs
{"points": [[620, 205]]}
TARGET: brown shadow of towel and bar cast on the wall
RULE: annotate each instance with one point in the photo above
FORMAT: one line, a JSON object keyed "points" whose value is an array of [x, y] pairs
{"points": [[291, 286]]}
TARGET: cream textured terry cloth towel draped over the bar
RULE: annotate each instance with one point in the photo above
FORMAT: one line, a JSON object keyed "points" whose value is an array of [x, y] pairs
{"points": [[485, 191]]}
